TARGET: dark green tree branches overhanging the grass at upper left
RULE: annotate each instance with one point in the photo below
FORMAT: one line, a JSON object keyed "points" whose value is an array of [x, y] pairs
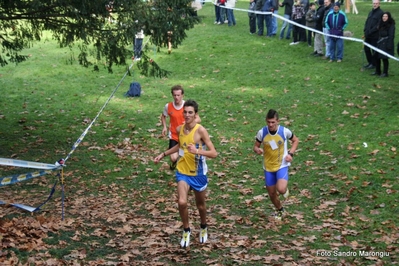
{"points": [[101, 29]]}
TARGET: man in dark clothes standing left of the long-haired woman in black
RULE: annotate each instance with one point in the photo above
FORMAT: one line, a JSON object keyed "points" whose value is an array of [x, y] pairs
{"points": [[371, 32]]}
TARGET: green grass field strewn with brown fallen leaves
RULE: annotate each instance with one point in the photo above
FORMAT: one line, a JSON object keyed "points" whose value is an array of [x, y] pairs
{"points": [[120, 207]]}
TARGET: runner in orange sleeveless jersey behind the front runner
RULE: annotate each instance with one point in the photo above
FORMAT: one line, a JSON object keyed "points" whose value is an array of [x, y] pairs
{"points": [[175, 112]]}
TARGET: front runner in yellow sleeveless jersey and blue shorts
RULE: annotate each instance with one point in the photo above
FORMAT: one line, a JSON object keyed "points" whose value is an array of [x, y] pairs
{"points": [[194, 146]]}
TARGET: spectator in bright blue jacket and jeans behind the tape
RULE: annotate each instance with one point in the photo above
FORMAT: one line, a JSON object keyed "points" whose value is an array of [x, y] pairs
{"points": [[336, 22]]}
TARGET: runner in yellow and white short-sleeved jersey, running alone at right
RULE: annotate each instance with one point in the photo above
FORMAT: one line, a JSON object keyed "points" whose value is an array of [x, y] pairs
{"points": [[276, 157]]}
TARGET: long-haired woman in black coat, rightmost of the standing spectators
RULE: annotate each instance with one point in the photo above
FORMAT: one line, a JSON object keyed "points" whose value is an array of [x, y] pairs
{"points": [[386, 40]]}
